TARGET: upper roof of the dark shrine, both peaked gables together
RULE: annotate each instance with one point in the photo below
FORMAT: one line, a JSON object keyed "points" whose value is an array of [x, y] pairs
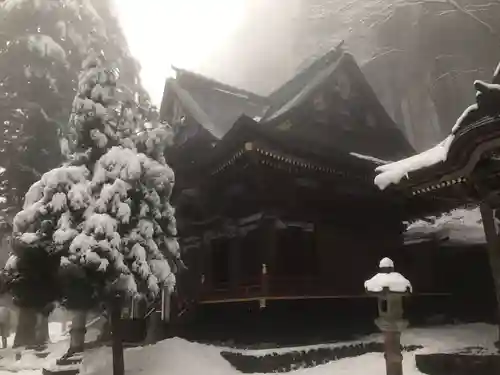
{"points": [[293, 102]]}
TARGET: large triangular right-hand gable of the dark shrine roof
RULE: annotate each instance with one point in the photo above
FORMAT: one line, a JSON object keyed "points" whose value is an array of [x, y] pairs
{"points": [[356, 120]]}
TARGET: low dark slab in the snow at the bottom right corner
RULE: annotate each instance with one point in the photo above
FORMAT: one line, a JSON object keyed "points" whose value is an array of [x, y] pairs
{"points": [[458, 364]]}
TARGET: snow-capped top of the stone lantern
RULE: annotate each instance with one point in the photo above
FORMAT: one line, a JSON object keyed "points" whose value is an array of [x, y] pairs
{"points": [[392, 281]]}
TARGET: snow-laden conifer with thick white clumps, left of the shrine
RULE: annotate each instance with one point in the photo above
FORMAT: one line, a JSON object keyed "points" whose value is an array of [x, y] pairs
{"points": [[106, 214]]}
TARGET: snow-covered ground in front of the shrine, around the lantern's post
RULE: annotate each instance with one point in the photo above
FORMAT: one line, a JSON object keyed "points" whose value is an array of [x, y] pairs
{"points": [[178, 357]]}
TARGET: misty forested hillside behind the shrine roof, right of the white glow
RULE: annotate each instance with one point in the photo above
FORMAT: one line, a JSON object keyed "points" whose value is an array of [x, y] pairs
{"points": [[421, 56]]}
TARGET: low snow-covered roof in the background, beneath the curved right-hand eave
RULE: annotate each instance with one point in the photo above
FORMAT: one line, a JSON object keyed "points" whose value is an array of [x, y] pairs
{"points": [[458, 227]]}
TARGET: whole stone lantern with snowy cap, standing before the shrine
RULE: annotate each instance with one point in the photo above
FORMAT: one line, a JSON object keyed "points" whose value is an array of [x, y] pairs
{"points": [[390, 287]]}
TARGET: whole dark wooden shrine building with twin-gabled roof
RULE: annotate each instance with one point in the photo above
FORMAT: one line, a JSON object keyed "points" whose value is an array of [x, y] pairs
{"points": [[274, 195]]}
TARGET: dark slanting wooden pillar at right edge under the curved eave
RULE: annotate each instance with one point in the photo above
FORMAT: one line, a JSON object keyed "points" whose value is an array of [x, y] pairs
{"points": [[493, 241]]}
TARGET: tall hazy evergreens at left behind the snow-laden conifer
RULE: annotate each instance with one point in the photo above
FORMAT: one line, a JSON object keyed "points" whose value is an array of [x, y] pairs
{"points": [[42, 46]]}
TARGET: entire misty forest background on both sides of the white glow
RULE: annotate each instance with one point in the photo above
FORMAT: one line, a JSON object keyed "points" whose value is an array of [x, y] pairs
{"points": [[421, 57]]}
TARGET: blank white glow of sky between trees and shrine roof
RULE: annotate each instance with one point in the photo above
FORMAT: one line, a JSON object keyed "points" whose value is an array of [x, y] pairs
{"points": [[182, 33]]}
